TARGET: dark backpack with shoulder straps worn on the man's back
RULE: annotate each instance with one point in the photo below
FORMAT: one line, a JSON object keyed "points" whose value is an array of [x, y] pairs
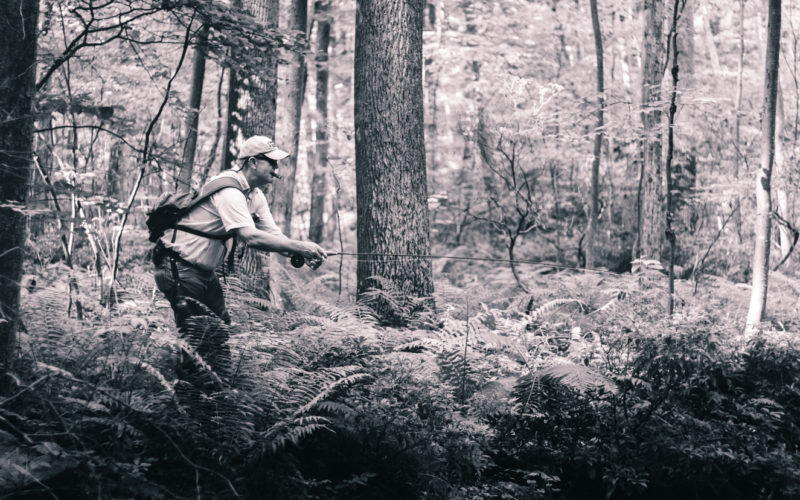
{"points": [[172, 207]]}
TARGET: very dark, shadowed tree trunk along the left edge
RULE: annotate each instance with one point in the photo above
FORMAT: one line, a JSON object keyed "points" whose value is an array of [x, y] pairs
{"points": [[17, 88]]}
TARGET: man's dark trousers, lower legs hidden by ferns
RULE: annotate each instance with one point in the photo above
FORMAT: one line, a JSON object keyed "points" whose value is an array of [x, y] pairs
{"points": [[198, 303]]}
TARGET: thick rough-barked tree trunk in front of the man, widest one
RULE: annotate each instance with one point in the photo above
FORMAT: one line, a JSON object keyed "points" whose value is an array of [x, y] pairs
{"points": [[391, 187]]}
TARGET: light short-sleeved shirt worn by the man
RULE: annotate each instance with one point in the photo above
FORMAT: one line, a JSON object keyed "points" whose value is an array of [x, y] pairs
{"points": [[223, 212]]}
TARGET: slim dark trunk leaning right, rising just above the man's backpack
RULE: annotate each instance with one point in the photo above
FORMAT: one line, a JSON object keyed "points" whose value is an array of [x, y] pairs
{"points": [[184, 180]]}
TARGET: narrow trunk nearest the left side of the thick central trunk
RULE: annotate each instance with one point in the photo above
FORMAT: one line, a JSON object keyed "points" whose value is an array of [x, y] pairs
{"points": [[319, 179]]}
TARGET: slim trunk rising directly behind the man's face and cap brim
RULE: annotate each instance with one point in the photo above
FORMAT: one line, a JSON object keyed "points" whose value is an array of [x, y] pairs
{"points": [[283, 197]]}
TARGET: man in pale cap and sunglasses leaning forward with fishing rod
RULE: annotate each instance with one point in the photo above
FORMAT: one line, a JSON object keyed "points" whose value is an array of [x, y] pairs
{"points": [[186, 262]]}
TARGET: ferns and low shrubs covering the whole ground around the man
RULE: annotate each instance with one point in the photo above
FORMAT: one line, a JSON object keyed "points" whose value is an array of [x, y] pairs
{"points": [[582, 388]]}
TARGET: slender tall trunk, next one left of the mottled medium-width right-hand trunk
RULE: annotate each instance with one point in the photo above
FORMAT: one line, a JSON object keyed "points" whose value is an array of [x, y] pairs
{"points": [[598, 138]]}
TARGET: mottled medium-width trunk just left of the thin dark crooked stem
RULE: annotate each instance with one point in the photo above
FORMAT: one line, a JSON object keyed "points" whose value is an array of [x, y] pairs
{"points": [[652, 213]]}
